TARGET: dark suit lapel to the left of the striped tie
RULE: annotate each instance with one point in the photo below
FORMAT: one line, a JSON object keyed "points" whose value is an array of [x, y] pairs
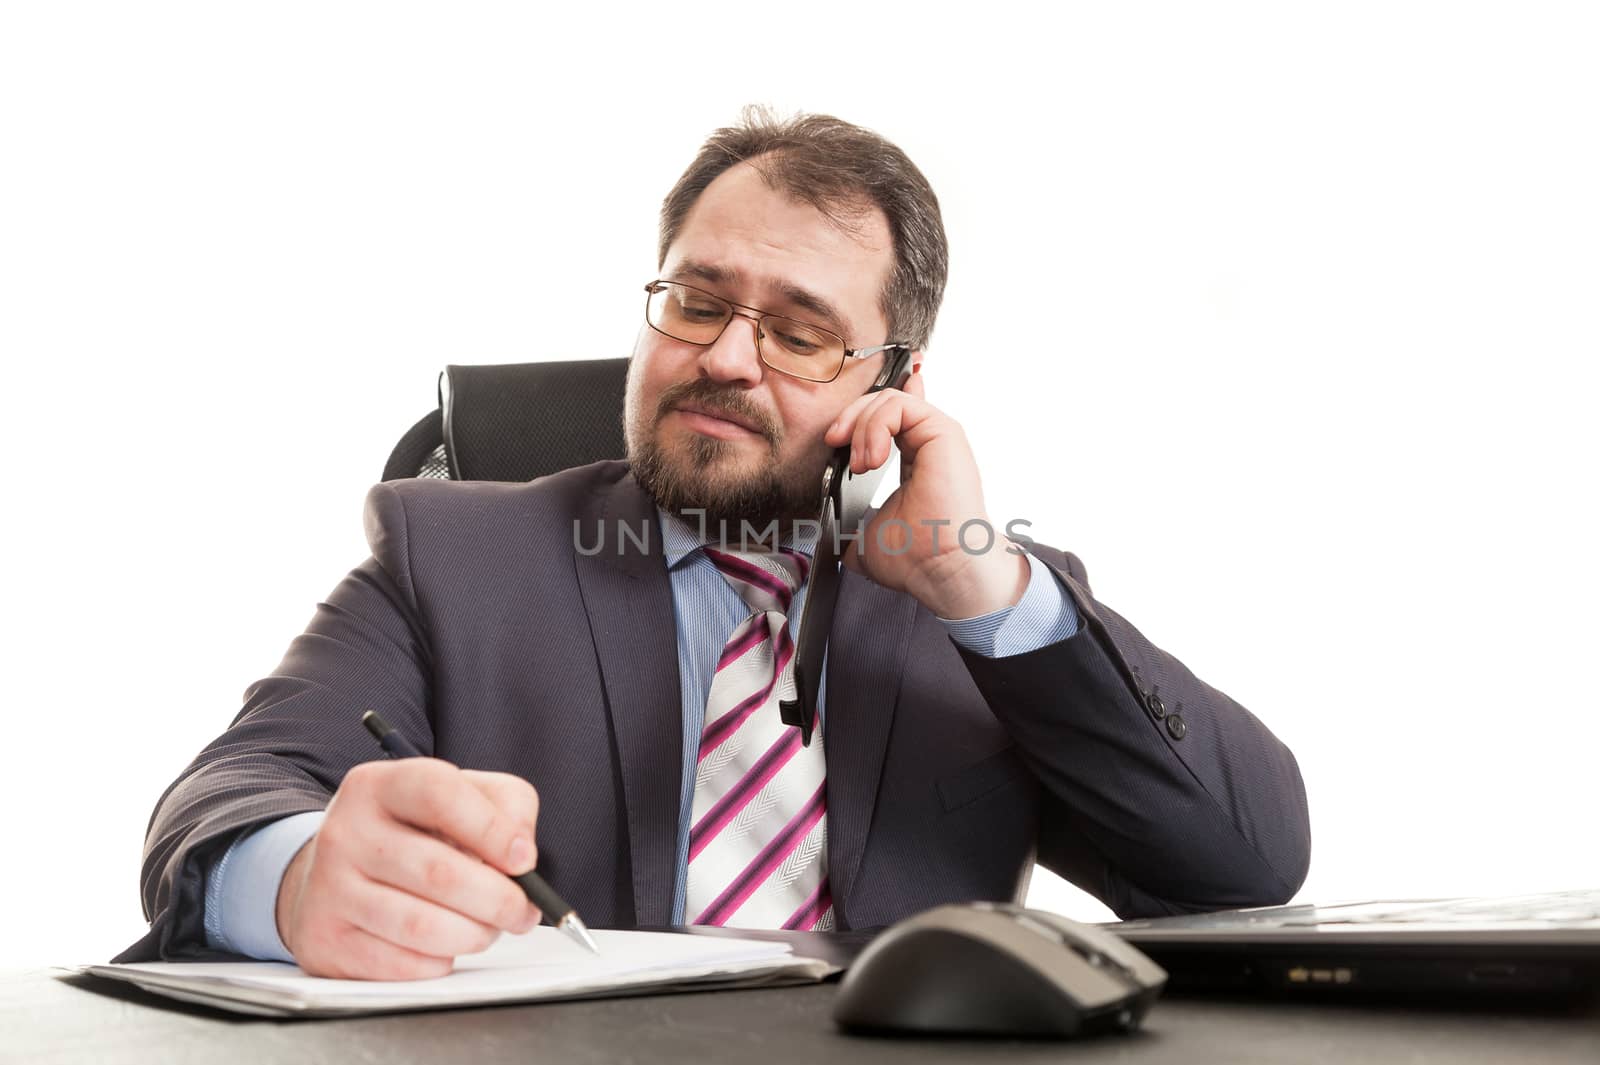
{"points": [[628, 597]]}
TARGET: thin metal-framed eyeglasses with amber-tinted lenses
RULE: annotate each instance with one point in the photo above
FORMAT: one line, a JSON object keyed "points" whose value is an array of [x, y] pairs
{"points": [[791, 348]]}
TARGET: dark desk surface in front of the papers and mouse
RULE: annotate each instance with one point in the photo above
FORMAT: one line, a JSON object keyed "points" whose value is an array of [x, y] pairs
{"points": [[49, 1018]]}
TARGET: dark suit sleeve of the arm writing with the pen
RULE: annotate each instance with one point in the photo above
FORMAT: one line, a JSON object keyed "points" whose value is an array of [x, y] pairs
{"points": [[297, 735]]}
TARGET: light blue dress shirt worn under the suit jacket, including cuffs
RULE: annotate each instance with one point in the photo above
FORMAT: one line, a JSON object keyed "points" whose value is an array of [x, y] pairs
{"points": [[242, 887]]}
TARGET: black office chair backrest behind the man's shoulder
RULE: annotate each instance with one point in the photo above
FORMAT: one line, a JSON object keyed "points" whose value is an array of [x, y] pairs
{"points": [[518, 421]]}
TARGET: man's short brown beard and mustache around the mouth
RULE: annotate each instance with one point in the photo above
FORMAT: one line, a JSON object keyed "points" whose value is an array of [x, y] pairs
{"points": [[703, 474]]}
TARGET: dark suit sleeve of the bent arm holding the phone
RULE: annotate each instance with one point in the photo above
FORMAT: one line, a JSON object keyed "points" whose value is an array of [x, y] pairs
{"points": [[1161, 794]]}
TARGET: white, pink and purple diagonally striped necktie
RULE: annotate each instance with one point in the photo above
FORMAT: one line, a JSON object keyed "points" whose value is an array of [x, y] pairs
{"points": [[759, 828]]}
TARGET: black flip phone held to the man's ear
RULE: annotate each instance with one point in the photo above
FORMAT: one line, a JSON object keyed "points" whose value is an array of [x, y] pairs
{"points": [[846, 501]]}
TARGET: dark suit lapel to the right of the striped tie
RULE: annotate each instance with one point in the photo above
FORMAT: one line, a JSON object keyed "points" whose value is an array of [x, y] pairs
{"points": [[866, 656]]}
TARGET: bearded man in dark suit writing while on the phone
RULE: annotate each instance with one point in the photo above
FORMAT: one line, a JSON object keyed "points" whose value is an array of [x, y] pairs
{"points": [[590, 712]]}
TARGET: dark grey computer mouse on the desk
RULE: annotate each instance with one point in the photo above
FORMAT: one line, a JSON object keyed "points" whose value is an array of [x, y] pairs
{"points": [[998, 970]]}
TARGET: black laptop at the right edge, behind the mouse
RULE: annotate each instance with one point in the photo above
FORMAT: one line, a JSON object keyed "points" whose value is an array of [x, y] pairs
{"points": [[1546, 944]]}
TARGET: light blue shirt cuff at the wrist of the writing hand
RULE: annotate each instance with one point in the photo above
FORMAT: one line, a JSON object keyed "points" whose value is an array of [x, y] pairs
{"points": [[242, 888]]}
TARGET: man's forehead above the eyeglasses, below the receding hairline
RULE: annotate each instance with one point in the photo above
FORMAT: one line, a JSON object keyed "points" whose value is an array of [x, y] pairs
{"points": [[764, 249]]}
